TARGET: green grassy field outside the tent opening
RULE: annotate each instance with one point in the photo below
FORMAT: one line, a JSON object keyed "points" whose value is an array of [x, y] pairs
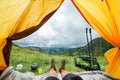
{"points": [[26, 57]]}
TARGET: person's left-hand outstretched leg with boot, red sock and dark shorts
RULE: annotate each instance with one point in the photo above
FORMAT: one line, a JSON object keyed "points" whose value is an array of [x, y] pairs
{"points": [[52, 75]]}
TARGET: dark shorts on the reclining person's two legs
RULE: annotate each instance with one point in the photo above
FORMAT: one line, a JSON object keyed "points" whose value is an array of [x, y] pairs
{"points": [[69, 76]]}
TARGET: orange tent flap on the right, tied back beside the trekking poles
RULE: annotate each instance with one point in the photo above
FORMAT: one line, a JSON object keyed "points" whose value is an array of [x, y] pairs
{"points": [[104, 17]]}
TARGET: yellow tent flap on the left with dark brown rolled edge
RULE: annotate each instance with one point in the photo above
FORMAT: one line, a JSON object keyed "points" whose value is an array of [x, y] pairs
{"points": [[20, 18]]}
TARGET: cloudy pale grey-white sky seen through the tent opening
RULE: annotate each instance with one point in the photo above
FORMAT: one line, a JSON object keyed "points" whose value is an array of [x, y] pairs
{"points": [[66, 28]]}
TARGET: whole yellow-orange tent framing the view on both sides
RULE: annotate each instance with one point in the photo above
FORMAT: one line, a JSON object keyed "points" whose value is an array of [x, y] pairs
{"points": [[19, 18]]}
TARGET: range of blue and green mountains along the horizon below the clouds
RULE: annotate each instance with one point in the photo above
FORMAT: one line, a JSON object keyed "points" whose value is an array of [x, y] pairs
{"points": [[99, 47]]}
